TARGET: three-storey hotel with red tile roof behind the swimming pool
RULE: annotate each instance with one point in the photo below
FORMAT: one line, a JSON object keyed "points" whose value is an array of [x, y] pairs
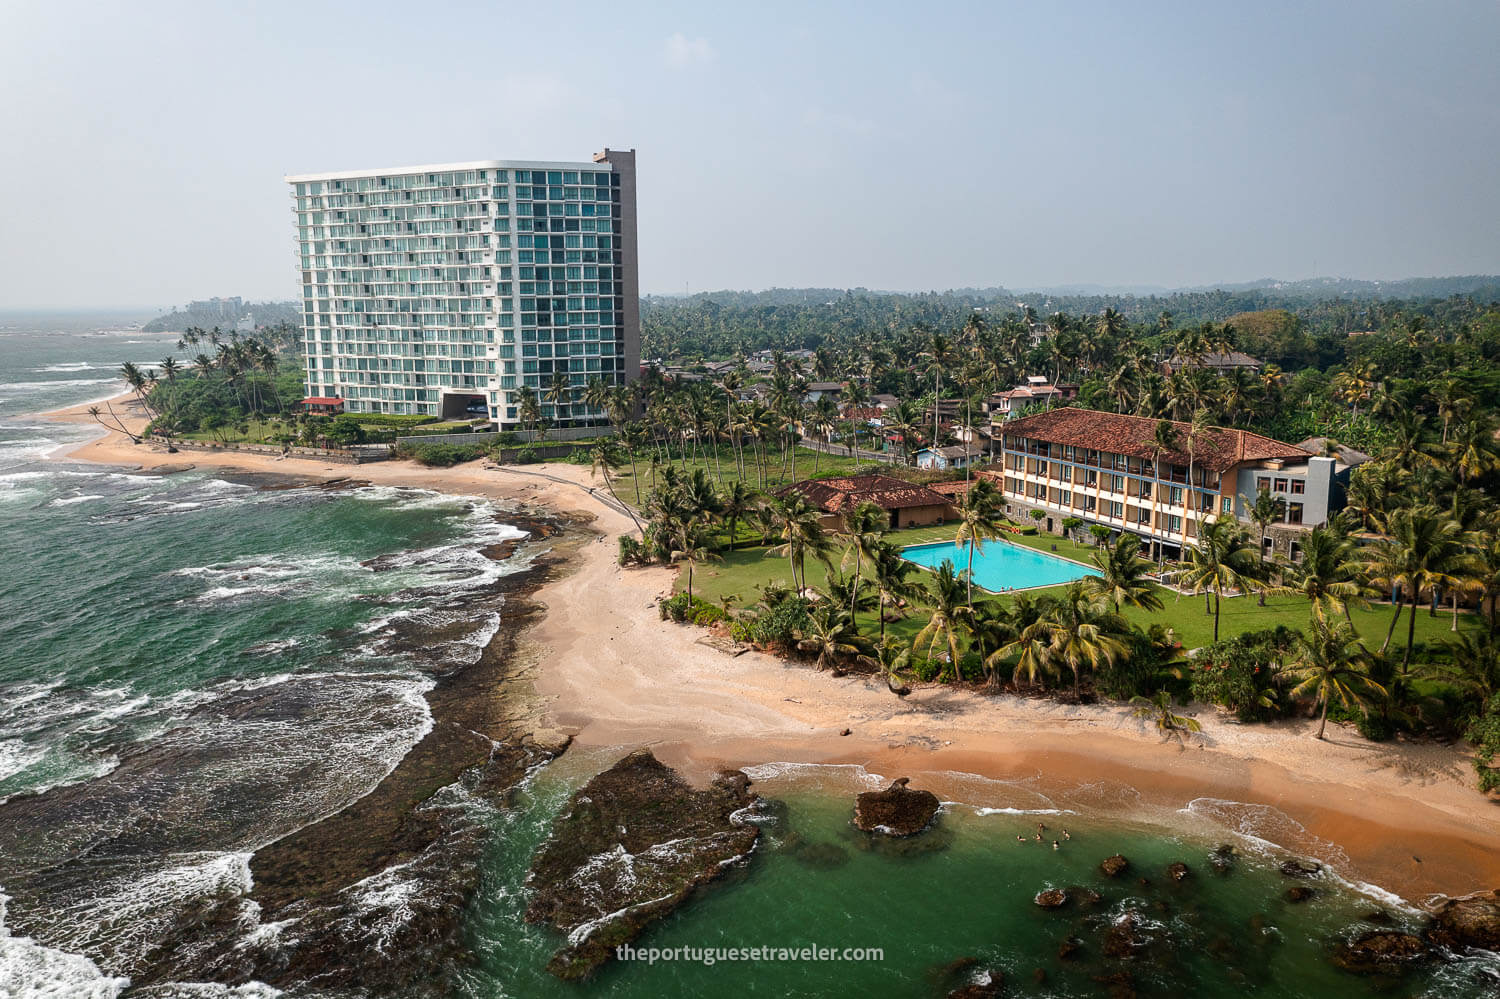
{"points": [[1106, 469]]}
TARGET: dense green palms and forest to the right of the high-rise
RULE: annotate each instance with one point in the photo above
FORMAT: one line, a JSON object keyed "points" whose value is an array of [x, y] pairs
{"points": [[1417, 389]]}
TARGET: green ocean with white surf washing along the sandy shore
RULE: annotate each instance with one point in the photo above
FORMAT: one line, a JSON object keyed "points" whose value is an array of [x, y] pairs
{"points": [[199, 670]]}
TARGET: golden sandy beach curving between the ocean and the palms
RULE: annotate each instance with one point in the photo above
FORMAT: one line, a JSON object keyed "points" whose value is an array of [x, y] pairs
{"points": [[1408, 817]]}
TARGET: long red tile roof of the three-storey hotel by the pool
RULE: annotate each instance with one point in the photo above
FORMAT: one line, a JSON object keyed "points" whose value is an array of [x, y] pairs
{"points": [[1219, 449]]}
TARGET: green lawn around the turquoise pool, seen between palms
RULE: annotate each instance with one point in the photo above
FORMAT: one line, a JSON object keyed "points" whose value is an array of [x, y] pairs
{"points": [[743, 572]]}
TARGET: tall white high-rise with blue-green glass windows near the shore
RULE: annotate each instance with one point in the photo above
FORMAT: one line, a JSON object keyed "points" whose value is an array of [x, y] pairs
{"points": [[464, 289]]}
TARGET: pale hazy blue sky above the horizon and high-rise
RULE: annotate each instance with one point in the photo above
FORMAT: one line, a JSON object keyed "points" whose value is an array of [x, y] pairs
{"points": [[898, 146]]}
